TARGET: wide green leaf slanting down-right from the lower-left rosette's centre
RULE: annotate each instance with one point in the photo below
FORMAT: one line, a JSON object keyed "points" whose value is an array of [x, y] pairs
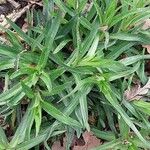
{"points": [[57, 114]]}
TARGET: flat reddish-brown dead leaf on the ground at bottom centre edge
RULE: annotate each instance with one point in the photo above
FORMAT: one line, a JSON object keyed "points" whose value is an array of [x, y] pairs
{"points": [[90, 142]]}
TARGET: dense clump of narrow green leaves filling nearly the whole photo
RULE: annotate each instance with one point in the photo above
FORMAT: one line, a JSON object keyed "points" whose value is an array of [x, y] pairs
{"points": [[77, 60]]}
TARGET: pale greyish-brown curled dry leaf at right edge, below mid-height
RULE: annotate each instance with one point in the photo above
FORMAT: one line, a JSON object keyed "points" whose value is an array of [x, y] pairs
{"points": [[136, 92]]}
